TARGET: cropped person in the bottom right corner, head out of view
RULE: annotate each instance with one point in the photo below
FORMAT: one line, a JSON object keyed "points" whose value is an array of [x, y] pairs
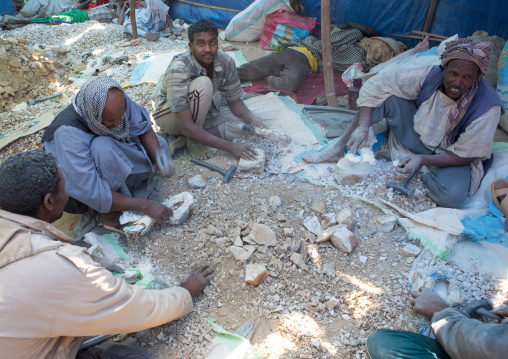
{"points": [[457, 336]]}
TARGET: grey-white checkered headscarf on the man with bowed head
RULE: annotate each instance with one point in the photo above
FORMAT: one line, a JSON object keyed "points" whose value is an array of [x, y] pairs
{"points": [[90, 101]]}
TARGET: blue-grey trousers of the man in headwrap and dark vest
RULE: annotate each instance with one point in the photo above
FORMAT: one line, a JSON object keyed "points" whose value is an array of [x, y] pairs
{"points": [[448, 186]]}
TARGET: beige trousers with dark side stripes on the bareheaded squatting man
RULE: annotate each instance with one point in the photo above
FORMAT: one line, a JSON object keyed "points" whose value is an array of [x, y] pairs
{"points": [[200, 99]]}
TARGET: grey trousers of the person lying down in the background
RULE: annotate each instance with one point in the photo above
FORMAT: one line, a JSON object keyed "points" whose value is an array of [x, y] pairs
{"points": [[285, 70]]}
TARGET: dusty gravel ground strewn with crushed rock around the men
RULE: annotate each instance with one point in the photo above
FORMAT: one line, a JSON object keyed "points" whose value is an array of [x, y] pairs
{"points": [[368, 289]]}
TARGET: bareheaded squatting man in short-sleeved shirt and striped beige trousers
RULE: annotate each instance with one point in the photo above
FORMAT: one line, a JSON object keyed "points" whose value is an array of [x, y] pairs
{"points": [[189, 96]]}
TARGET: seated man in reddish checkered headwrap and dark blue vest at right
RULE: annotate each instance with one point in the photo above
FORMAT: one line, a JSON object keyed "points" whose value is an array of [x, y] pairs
{"points": [[442, 117]]}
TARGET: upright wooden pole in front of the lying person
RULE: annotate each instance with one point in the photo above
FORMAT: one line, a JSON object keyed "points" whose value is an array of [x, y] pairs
{"points": [[327, 53]]}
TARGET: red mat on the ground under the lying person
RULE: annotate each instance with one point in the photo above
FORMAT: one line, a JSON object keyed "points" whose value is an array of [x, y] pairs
{"points": [[312, 88]]}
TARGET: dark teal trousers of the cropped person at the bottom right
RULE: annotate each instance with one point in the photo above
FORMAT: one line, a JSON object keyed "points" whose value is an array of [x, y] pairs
{"points": [[398, 344]]}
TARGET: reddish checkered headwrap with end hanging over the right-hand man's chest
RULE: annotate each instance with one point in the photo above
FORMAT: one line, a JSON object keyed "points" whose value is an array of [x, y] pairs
{"points": [[465, 49]]}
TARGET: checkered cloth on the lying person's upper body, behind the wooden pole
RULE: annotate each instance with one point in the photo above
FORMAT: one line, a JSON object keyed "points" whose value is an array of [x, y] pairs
{"points": [[345, 48]]}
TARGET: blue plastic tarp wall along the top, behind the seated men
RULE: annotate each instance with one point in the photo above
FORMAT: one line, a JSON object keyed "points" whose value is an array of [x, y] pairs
{"points": [[386, 16]]}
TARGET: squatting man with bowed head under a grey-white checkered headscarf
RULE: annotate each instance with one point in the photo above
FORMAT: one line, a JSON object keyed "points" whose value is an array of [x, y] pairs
{"points": [[106, 147]]}
